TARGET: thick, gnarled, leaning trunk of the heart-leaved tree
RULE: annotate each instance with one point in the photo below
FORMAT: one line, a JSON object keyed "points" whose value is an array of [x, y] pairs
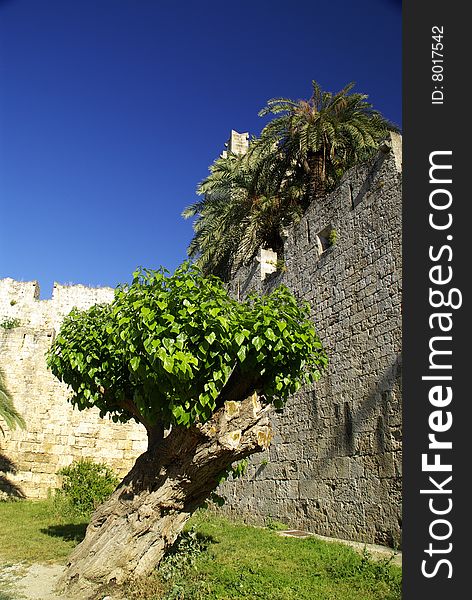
{"points": [[129, 534]]}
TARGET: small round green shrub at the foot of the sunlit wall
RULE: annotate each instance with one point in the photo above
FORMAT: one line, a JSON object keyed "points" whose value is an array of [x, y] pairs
{"points": [[87, 484]]}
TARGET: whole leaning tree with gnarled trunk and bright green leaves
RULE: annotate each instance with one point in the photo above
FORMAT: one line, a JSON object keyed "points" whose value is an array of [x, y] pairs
{"points": [[200, 371]]}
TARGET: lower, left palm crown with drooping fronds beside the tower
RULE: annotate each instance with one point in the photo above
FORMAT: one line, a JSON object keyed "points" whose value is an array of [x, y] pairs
{"points": [[245, 203]]}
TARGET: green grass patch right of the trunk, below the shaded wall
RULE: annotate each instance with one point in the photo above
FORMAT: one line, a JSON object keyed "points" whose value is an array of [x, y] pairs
{"points": [[238, 562]]}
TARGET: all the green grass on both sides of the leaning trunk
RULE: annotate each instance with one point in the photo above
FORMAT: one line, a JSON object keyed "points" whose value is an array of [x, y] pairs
{"points": [[218, 560]]}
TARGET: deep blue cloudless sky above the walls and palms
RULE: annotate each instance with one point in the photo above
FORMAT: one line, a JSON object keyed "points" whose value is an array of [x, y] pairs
{"points": [[112, 110]]}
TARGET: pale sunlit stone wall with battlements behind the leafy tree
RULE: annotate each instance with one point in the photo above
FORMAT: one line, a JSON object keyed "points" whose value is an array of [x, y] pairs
{"points": [[56, 434]]}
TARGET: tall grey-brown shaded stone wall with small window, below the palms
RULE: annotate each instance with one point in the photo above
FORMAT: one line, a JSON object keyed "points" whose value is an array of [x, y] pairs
{"points": [[334, 466]]}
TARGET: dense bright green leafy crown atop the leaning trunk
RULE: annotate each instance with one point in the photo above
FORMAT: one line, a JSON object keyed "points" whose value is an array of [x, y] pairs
{"points": [[171, 349]]}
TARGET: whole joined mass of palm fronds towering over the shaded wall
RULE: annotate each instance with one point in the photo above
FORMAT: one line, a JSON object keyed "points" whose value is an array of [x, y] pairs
{"points": [[246, 201]]}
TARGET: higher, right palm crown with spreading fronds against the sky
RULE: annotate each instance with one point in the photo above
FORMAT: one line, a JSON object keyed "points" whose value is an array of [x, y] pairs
{"points": [[324, 136]]}
